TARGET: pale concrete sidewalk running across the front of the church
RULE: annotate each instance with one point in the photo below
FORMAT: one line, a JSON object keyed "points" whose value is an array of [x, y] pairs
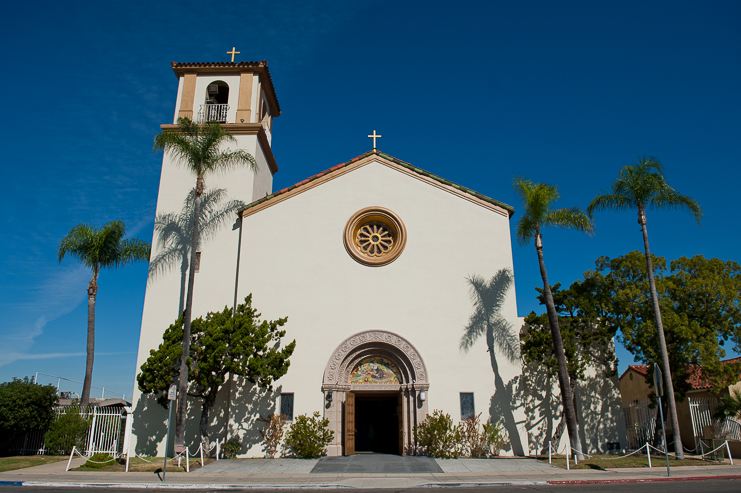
{"points": [[294, 473]]}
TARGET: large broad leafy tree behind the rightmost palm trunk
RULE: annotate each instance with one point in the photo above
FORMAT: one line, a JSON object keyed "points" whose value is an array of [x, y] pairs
{"points": [[699, 300]]}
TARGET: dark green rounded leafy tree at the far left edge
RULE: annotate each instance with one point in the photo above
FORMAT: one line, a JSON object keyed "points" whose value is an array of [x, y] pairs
{"points": [[24, 406]]}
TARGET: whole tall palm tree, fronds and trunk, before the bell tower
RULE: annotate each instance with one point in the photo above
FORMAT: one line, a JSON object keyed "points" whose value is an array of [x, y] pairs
{"points": [[198, 148]]}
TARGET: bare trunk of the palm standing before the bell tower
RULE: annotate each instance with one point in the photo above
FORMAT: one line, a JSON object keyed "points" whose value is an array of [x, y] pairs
{"points": [[183, 382]]}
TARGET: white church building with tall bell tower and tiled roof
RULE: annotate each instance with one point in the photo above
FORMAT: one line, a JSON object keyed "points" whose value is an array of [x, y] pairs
{"points": [[374, 262]]}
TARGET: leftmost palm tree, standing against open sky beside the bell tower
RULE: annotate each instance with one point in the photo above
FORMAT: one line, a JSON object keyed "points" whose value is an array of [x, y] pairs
{"points": [[98, 249]]}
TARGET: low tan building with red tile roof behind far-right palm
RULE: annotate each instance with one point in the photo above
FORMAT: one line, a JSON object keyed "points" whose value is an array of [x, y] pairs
{"points": [[634, 389]]}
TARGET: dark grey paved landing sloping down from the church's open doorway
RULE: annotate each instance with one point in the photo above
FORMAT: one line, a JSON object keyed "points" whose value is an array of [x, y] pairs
{"points": [[362, 463]]}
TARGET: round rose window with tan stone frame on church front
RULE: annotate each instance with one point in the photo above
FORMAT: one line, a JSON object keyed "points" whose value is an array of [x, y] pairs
{"points": [[375, 236]]}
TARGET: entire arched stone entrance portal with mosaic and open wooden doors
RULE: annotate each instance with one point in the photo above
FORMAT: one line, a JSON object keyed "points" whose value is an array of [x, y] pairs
{"points": [[372, 386]]}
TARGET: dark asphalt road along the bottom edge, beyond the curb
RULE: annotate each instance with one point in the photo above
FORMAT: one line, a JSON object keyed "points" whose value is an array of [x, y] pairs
{"points": [[714, 486]]}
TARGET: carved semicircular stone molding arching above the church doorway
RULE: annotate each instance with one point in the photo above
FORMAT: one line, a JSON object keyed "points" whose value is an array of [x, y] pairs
{"points": [[358, 346]]}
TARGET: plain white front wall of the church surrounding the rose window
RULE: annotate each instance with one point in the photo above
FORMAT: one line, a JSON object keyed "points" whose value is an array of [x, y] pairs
{"points": [[294, 262]]}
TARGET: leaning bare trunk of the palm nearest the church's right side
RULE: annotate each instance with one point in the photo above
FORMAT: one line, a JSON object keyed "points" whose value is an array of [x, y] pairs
{"points": [[563, 372]]}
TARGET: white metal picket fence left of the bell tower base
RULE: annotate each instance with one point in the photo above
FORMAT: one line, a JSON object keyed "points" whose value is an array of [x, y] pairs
{"points": [[109, 432]]}
